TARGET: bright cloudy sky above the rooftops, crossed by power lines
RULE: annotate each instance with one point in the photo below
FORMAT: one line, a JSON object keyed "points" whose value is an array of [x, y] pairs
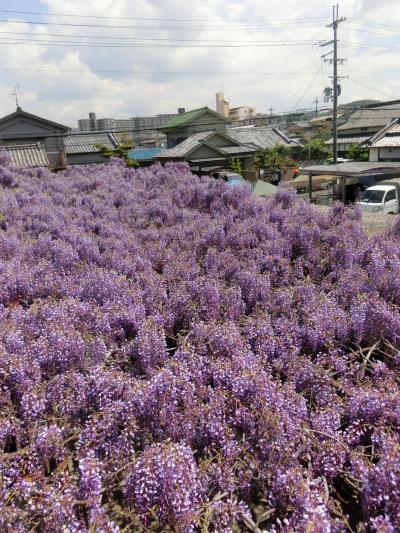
{"points": [[125, 58]]}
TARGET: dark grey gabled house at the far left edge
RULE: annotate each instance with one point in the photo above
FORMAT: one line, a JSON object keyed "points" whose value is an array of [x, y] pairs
{"points": [[22, 128]]}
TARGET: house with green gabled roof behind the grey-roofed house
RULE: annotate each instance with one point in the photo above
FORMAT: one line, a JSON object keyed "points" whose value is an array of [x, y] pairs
{"points": [[186, 124]]}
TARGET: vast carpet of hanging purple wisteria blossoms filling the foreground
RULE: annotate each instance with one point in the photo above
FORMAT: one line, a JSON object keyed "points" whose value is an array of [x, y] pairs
{"points": [[178, 355]]}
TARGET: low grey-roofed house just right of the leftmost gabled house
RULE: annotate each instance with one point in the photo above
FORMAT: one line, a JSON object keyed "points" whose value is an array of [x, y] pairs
{"points": [[83, 148]]}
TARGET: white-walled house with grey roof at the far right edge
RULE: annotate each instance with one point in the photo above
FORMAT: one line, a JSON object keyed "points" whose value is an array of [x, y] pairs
{"points": [[385, 145]]}
